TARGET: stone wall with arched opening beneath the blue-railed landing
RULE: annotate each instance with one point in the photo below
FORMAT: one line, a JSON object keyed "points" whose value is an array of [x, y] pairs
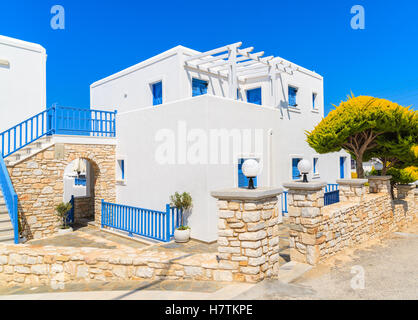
{"points": [[38, 182]]}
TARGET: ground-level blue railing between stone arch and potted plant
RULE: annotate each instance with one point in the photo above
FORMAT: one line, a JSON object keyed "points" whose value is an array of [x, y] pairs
{"points": [[153, 224]]}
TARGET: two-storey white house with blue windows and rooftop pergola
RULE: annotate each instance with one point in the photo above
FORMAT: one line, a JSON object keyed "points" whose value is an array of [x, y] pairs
{"points": [[178, 111]]}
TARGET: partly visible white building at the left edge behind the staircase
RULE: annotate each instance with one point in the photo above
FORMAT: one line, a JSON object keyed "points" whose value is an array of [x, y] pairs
{"points": [[22, 81]]}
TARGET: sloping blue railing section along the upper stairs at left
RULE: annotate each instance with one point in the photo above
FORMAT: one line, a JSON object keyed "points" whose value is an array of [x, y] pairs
{"points": [[24, 133]]}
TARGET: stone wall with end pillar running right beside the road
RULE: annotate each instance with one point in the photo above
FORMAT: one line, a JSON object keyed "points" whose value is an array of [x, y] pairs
{"points": [[317, 234]]}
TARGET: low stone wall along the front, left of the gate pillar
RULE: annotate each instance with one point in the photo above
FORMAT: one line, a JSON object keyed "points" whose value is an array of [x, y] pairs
{"points": [[55, 266]]}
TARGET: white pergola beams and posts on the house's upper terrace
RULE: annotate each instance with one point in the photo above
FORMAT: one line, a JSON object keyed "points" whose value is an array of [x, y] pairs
{"points": [[239, 65]]}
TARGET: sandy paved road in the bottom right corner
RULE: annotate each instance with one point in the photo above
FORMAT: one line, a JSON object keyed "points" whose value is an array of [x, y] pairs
{"points": [[390, 272]]}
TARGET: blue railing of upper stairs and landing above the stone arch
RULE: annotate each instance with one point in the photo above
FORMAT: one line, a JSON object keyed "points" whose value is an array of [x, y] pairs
{"points": [[58, 120]]}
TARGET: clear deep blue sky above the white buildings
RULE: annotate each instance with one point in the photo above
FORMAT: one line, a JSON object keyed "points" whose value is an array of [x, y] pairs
{"points": [[103, 37]]}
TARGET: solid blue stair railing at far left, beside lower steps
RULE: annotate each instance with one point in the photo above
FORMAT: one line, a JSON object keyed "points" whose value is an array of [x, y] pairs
{"points": [[10, 197]]}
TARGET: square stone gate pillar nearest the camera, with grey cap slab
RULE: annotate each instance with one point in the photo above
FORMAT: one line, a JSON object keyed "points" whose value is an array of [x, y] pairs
{"points": [[248, 234]]}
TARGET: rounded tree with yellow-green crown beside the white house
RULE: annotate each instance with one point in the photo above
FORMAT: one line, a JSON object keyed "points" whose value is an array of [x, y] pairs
{"points": [[356, 125]]}
